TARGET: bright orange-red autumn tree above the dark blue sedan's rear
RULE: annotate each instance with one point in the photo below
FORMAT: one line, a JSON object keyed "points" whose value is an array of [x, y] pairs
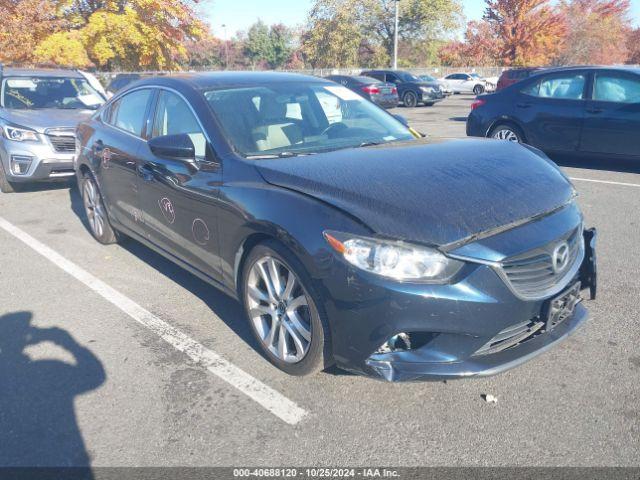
{"points": [[527, 32]]}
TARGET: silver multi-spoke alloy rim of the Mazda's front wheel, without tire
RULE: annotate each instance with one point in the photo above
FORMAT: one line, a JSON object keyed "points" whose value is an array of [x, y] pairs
{"points": [[279, 309]]}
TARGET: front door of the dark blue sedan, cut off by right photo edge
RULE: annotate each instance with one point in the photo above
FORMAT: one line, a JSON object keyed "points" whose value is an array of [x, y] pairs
{"points": [[612, 121]]}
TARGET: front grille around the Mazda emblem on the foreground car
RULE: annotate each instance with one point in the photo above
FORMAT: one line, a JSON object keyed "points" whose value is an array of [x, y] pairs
{"points": [[532, 275]]}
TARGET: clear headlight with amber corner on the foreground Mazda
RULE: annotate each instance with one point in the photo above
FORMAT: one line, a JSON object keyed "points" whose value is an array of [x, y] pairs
{"points": [[397, 260]]}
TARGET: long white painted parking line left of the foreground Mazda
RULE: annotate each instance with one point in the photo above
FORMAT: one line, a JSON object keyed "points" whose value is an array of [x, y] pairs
{"points": [[264, 395]]}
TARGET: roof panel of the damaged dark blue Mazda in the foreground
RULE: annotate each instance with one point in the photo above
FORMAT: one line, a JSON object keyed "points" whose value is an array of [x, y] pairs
{"points": [[206, 80]]}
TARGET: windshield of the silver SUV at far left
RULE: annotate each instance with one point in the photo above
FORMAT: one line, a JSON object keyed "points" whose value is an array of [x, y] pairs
{"points": [[26, 93]]}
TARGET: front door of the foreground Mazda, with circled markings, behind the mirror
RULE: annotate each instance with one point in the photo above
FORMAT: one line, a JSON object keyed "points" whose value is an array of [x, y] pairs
{"points": [[180, 202]]}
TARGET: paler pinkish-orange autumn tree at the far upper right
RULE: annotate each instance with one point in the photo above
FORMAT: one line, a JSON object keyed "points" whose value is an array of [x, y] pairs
{"points": [[597, 31]]}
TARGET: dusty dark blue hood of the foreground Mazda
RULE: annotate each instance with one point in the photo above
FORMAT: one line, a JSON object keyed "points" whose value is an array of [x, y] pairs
{"points": [[433, 193]]}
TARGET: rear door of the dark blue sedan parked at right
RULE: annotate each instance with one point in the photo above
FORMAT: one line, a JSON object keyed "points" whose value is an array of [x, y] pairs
{"points": [[551, 109]]}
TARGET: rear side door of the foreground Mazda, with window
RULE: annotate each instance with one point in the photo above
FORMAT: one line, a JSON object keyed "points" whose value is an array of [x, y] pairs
{"points": [[117, 146]]}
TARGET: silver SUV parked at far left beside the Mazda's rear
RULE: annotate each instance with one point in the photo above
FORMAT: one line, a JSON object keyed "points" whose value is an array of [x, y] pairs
{"points": [[39, 111]]}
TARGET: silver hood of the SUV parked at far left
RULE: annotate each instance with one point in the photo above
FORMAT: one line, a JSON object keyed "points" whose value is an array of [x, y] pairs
{"points": [[43, 119]]}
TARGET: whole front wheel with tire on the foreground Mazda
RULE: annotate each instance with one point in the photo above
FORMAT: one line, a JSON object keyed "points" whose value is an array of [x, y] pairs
{"points": [[283, 312]]}
